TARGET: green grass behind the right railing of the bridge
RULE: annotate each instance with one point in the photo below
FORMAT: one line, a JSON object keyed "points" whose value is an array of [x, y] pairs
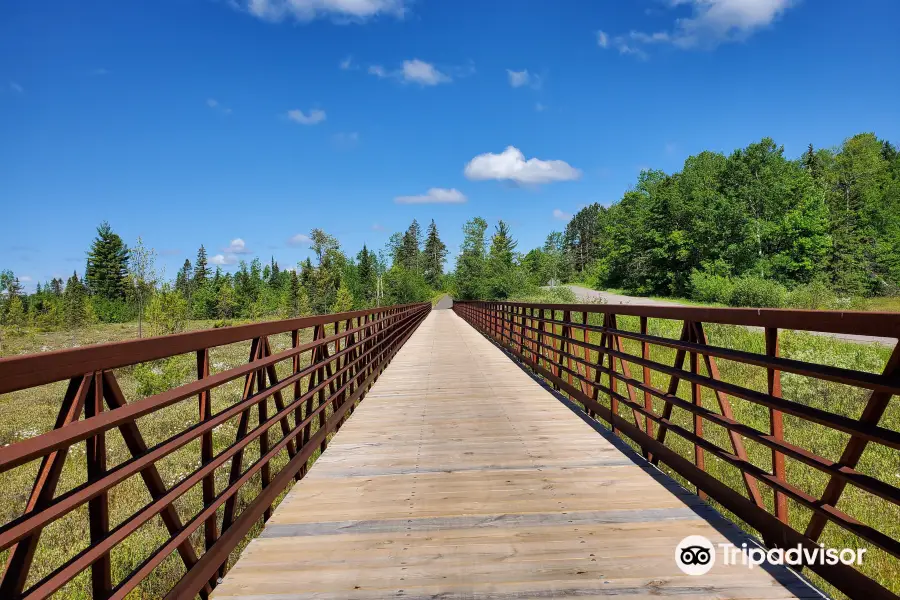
{"points": [[877, 461]]}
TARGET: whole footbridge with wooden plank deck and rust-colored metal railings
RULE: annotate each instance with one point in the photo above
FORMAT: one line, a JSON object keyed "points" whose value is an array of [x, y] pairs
{"points": [[494, 451]]}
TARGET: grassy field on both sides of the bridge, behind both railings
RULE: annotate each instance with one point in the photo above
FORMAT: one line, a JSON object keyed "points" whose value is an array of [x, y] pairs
{"points": [[69, 535]]}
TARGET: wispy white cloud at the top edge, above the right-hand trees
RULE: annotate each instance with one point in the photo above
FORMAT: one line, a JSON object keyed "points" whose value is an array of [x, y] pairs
{"points": [[712, 22]]}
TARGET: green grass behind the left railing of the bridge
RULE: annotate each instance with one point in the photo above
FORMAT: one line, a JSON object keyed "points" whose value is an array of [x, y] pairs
{"points": [[31, 412]]}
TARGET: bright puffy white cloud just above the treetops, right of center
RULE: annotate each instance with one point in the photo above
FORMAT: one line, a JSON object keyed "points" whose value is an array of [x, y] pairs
{"points": [[511, 165]]}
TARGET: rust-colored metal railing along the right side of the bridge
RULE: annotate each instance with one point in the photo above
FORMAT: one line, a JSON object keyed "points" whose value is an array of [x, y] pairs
{"points": [[616, 372]]}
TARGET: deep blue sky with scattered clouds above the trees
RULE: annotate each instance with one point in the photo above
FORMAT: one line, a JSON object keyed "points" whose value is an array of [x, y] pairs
{"points": [[193, 122]]}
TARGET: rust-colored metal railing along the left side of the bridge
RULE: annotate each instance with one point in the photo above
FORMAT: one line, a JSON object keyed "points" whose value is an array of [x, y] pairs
{"points": [[327, 365]]}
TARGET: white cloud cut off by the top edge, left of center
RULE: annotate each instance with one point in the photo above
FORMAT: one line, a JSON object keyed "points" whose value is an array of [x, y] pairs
{"points": [[307, 10]]}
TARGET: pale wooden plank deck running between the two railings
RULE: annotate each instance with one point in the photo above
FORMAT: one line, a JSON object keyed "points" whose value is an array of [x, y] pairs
{"points": [[461, 477]]}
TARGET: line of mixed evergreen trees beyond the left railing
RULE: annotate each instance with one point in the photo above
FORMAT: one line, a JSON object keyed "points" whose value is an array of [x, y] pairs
{"points": [[122, 283]]}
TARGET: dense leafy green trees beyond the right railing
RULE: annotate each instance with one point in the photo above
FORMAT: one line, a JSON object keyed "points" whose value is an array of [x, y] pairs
{"points": [[751, 228]]}
